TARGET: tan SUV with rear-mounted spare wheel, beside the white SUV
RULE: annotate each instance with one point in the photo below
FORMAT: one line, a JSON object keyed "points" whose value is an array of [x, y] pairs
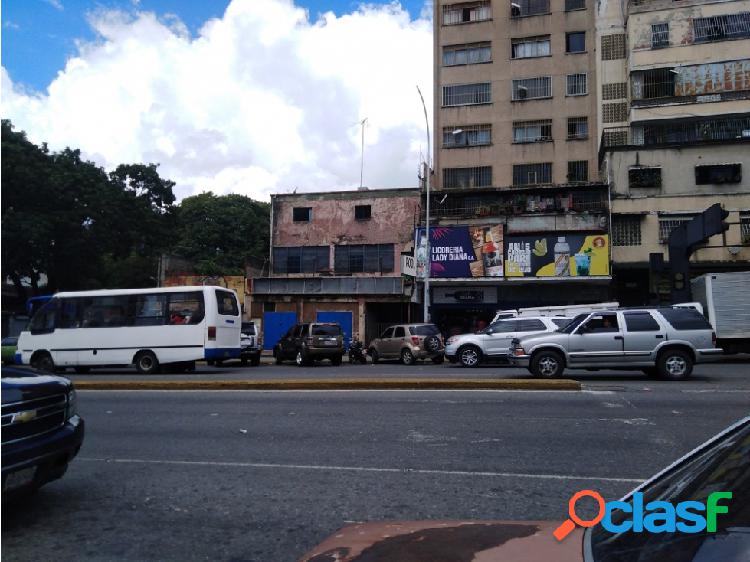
{"points": [[409, 343]]}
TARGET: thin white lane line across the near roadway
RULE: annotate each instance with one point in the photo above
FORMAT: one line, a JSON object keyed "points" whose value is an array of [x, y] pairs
{"points": [[365, 469]]}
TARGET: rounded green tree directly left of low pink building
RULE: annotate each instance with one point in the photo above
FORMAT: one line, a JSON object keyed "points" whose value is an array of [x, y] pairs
{"points": [[219, 234]]}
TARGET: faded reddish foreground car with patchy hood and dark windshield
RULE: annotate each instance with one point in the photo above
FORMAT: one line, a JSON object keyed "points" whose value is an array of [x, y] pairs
{"points": [[721, 463]]}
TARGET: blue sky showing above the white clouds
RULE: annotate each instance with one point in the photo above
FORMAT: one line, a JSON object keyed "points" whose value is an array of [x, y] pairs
{"points": [[38, 36]]}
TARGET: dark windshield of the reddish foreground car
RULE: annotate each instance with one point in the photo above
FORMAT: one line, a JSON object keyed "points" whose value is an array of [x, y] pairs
{"points": [[724, 466]]}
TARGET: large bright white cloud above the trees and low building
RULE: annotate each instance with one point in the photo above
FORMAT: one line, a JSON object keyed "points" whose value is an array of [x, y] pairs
{"points": [[262, 100]]}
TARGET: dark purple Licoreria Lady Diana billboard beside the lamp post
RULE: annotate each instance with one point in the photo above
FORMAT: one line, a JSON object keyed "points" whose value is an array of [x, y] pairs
{"points": [[461, 251]]}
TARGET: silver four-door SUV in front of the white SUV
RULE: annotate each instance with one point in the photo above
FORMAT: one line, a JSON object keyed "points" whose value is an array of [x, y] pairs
{"points": [[664, 342]]}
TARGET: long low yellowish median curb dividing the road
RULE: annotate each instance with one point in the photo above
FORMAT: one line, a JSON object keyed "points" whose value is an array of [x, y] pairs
{"points": [[337, 384]]}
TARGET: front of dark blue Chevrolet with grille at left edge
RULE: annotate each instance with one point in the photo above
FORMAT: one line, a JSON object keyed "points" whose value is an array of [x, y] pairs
{"points": [[41, 429]]}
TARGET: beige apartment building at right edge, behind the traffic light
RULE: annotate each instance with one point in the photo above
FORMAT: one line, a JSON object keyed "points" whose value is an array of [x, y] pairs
{"points": [[674, 122]]}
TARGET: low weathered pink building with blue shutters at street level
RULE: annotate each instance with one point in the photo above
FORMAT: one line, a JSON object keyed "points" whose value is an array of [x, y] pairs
{"points": [[336, 257]]}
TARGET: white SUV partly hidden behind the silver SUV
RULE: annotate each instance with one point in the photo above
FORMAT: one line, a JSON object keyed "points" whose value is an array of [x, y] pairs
{"points": [[493, 343]]}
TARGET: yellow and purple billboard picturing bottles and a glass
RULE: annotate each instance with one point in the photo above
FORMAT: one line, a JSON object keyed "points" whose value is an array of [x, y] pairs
{"points": [[558, 255]]}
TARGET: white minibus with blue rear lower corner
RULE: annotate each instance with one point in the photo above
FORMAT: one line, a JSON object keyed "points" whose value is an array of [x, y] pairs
{"points": [[173, 326]]}
